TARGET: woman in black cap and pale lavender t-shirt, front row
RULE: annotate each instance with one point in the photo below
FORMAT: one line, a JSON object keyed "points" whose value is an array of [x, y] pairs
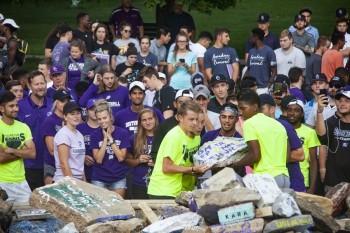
{"points": [[69, 149]]}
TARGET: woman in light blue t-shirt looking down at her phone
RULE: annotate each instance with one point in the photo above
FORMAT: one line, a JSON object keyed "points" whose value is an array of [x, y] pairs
{"points": [[181, 64]]}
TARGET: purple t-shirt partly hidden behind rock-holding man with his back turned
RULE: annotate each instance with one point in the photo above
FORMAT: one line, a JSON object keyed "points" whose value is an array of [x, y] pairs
{"points": [[295, 176]]}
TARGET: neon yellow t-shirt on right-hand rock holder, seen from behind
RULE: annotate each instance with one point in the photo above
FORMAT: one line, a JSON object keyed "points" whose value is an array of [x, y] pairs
{"points": [[272, 138]]}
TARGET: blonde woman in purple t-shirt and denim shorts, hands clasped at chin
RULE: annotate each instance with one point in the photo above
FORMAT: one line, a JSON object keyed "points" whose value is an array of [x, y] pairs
{"points": [[108, 144]]}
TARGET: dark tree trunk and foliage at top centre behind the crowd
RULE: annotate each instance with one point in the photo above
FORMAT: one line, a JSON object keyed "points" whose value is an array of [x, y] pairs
{"points": [[163, 7]]}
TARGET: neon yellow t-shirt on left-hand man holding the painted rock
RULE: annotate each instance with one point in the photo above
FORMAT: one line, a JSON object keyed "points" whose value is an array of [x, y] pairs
{"points": [[179, 148]]}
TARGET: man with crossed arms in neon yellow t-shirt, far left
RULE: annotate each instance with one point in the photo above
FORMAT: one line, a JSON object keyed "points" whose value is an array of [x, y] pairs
{"points": [[15, 145]]}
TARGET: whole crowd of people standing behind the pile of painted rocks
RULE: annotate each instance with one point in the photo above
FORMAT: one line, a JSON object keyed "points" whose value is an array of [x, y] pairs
{"points": [[129, 114]]}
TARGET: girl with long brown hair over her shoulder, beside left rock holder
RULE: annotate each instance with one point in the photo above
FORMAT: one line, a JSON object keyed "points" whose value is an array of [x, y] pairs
{"points": [[138, 155]]}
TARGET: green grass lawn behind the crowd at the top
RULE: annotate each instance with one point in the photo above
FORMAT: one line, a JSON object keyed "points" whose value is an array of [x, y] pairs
{"points": [[36, 21]]}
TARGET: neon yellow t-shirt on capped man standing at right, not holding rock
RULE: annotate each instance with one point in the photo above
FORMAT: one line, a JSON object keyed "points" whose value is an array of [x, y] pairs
{"points": [[309, 139]]}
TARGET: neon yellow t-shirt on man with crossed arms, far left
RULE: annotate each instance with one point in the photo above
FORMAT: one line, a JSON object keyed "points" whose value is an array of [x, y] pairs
{"points": [[13, 136]]}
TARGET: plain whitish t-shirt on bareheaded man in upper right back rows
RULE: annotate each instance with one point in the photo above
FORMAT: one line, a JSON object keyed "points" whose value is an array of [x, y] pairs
{"points": [[285, 61]]}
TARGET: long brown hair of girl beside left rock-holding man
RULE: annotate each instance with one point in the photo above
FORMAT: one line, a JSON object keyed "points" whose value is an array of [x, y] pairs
{"points": [[140, 138]]}
